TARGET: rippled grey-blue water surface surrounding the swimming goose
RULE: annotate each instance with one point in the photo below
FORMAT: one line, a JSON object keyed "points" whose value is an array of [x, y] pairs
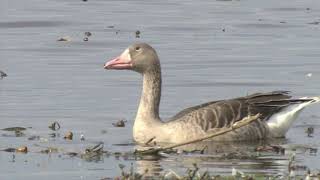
{"points": [[209, 50]]}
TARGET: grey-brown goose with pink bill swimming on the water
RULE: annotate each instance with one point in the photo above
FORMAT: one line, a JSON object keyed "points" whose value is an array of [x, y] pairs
{"points": [[277, 109]]}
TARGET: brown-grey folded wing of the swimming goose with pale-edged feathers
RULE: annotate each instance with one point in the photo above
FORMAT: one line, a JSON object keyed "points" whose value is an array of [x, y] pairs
{"points": [[220, 114]]}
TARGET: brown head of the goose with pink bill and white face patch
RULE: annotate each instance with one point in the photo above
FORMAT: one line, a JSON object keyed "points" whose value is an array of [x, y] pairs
{"points": [[139, 57]]}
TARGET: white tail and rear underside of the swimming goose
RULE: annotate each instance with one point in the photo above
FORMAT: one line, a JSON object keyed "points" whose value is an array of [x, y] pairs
{"points": [[280, 122]]}
